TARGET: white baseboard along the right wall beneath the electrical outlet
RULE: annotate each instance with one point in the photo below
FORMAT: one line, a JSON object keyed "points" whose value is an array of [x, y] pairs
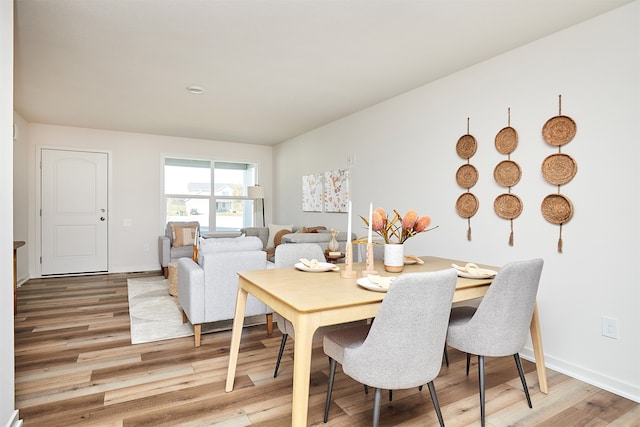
{"points": [[621, 388]]}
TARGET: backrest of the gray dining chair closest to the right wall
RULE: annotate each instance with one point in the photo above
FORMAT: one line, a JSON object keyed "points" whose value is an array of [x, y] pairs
{"points": [[500, 325]]}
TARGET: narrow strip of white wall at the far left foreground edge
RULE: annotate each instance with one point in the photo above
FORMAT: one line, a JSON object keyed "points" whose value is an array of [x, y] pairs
{"points": [[8, 414]]}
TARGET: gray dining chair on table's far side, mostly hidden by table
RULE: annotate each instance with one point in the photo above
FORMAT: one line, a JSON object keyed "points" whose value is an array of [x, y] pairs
{"points": [[287, 255]]}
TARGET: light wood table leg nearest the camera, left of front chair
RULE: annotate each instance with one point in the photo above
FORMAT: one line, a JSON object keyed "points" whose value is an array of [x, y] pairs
{"points": [[303, 347]]}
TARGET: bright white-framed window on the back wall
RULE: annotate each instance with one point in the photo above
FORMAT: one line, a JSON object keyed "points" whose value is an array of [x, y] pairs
{"points": [[188, 196]]}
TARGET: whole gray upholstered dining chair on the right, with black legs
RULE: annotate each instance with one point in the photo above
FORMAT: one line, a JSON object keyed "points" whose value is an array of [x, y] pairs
{"points": [[500, 325]]}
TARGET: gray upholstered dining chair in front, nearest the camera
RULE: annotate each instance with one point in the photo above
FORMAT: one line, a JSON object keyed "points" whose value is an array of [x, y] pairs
{"points": [[402, 348]]}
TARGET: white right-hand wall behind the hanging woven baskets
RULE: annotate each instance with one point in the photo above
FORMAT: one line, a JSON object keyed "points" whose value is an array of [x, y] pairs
{"points": [[405, 151]]}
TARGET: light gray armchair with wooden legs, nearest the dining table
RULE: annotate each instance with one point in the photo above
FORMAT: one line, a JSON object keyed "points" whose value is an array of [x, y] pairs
{"points": [[207, 289]]}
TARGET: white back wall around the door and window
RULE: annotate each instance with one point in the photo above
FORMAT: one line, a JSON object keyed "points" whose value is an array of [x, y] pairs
{"points": [[135, 184]]}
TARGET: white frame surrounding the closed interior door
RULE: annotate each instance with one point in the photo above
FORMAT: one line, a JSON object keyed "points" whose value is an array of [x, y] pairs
{"points": [[38, 205]]}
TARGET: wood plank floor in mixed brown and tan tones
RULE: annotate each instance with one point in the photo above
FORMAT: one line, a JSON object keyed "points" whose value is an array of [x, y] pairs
{"points": [[75, 366]]}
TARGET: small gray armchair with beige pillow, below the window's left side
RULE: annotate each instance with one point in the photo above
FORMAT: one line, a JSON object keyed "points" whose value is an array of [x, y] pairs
{"points": [[174, 245]]}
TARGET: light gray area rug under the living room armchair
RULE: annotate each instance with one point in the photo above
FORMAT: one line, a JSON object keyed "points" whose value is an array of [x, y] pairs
{"points": [[155, 315]]}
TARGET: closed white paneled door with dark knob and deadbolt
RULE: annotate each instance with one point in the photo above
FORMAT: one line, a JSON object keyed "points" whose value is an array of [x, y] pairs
{"points": [[74, 215]]}
